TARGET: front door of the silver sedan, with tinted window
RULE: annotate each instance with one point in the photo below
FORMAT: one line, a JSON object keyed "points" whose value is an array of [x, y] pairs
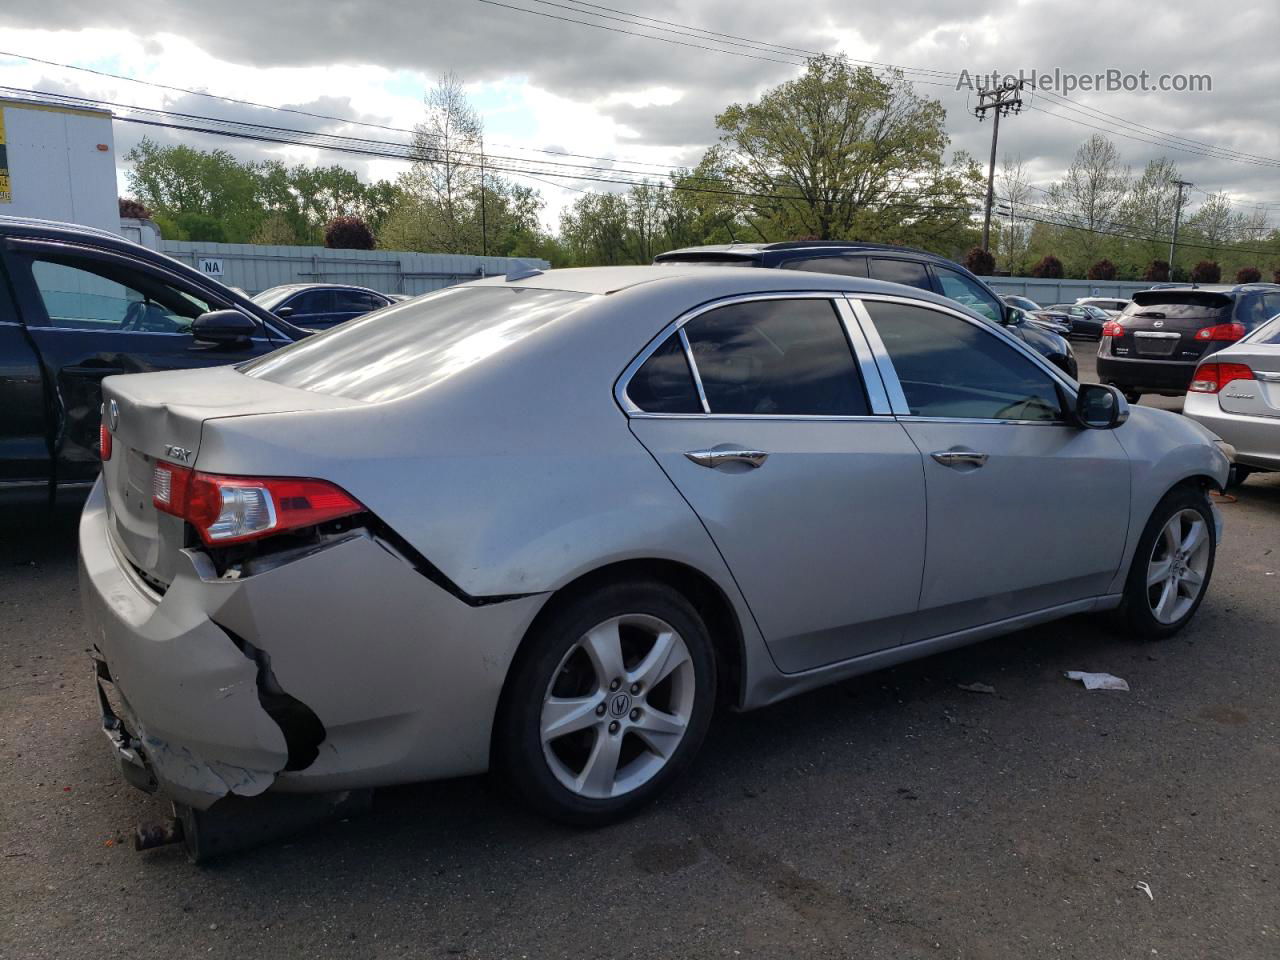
{"points": [[1026, 511]]}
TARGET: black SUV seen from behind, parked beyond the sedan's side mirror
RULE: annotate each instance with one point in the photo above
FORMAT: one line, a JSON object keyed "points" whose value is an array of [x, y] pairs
{"points": [[1155, 345]]}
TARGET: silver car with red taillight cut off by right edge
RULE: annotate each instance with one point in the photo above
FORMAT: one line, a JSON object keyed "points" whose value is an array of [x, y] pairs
{"points": [[1236, 394]]}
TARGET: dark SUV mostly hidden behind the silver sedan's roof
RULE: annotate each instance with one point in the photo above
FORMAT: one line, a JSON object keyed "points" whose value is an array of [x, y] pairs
{"points": [[915, 268]]}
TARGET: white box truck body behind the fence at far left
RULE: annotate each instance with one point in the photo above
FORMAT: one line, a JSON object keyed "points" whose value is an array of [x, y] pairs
{"points": [[58, 163]]}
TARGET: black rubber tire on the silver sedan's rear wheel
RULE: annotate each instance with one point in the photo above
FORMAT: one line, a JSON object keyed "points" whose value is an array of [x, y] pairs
{"points": [[519, 756]]}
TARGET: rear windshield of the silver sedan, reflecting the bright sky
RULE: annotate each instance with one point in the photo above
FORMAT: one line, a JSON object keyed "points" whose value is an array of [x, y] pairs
{"points": [[412, 346]]}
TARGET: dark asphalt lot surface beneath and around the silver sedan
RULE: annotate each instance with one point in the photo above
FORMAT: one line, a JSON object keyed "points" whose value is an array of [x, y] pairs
{"points": [[893, 816]]}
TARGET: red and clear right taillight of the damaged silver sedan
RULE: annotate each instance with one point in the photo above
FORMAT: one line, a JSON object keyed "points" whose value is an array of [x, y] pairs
{"points": [[227, 510]]}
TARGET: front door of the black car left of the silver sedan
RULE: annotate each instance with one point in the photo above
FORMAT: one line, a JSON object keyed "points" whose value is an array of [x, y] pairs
{"points": [[93, 314]]}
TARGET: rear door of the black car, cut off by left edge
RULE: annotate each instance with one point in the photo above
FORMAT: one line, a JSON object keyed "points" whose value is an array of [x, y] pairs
{"points": [[24, 406]]}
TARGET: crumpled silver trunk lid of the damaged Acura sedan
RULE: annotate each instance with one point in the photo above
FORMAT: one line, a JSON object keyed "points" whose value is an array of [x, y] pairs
{"points": [[161, 418]]}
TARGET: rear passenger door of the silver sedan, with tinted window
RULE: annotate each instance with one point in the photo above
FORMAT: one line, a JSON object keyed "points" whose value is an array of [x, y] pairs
{"points": [[783, 444]]}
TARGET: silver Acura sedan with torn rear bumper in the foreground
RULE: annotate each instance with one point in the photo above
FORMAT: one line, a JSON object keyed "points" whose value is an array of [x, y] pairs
{"points": [[547, 524]]}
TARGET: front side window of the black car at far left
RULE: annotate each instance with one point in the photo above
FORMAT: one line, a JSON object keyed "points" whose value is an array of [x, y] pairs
{"points": [[90, 295]]}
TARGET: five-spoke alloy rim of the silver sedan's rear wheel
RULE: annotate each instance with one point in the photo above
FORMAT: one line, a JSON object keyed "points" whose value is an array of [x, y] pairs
{"points": [[618, 707]]}
